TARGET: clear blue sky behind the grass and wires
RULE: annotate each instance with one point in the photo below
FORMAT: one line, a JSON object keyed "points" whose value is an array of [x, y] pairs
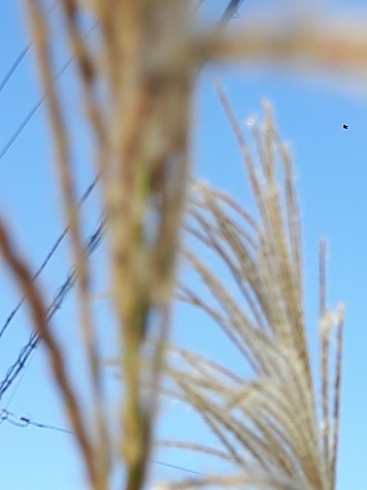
{"points": [[331, 168]]}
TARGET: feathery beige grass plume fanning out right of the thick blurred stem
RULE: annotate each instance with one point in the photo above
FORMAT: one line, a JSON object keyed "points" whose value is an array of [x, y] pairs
{"points": [[267, 424]]}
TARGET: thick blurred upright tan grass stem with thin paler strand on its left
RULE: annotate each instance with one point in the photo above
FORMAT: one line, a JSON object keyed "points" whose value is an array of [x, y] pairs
{"points": [[141, 129]]}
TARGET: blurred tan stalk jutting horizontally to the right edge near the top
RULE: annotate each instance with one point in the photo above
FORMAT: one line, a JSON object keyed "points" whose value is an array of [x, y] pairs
{"points": [[312, 43]]}
